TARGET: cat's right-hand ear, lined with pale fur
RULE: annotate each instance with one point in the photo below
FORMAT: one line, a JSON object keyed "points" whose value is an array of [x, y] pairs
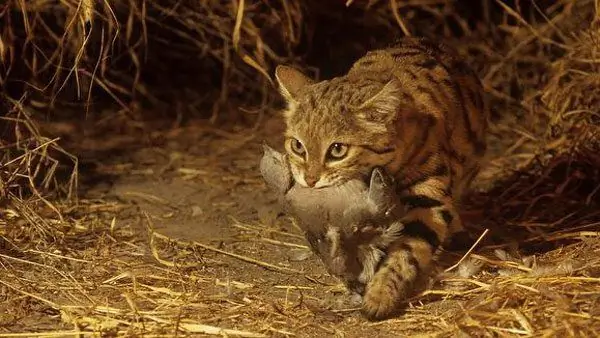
{"points": [[382, 108]]}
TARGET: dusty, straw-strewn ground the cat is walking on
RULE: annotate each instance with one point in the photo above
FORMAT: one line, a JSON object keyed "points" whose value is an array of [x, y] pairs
{"points": [[176, 232]]}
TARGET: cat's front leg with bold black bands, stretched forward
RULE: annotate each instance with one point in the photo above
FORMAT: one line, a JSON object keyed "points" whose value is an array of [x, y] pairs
{"points": [[430, 215]]}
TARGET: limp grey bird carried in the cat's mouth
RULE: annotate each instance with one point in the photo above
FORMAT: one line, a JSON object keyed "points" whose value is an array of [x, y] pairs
{"points": [[352, 213]]}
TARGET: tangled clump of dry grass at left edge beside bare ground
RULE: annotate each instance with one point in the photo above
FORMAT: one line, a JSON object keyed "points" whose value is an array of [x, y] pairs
{"points": [[29, 168]]}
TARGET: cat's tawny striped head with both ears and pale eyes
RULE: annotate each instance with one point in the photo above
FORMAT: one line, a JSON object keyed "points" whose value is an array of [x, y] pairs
{"points": [[337, 129]]}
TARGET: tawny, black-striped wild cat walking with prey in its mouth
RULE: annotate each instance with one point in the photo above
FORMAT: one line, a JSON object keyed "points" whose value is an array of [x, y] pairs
{"points": [[418, 111]]}
